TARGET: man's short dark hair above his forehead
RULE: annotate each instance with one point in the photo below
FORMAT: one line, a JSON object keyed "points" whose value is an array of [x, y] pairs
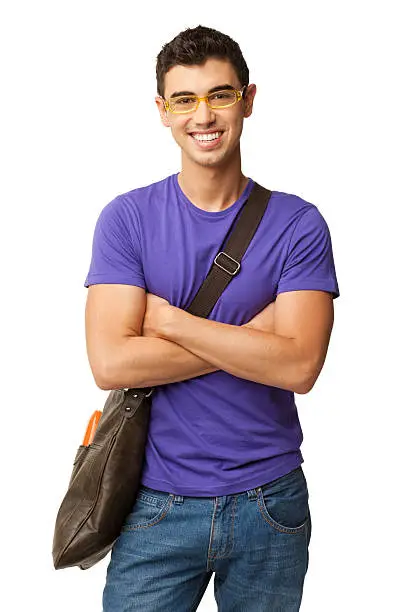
{"points": [[196, 45]]}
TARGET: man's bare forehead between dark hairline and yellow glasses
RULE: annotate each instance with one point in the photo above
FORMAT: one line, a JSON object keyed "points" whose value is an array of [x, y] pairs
{"points": [[200, 78]]}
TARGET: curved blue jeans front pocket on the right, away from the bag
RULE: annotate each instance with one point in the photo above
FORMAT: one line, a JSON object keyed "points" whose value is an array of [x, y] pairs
{"points": [[284, 502]]}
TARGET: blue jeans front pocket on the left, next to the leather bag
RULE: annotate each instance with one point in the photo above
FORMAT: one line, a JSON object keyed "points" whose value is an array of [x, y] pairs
{"points": [[149, 509]]}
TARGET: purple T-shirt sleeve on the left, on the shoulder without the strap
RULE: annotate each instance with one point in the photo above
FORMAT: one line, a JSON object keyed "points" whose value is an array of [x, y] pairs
{"points": [[115, 248]]}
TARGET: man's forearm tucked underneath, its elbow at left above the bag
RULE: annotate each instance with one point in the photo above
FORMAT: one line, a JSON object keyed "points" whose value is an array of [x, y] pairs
{"points": [[144, 362]]}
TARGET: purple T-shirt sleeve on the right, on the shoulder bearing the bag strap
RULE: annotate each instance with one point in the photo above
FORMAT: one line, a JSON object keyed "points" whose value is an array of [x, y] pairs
{"points": [[310, 262]]}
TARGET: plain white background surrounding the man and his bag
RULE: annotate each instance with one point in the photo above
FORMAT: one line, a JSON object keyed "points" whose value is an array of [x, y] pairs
{"points": [[78, 127]]}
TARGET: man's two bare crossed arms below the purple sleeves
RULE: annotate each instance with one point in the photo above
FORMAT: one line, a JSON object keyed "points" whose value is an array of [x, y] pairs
{"points": [[283, 346]]}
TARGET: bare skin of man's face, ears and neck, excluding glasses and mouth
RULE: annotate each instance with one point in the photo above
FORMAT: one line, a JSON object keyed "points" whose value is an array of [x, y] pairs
{"points": [[212, 180]]}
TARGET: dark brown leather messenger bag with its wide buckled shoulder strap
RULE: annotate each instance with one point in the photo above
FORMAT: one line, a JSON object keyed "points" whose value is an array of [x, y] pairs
{"points": [[106, 474]]}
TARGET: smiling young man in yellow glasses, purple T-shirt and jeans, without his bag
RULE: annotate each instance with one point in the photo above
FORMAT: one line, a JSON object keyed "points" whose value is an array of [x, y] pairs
{"points": [[223, 489]]}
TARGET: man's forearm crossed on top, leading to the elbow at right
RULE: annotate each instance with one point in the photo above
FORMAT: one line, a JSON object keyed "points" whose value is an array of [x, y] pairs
{"points": [[248, 353]]}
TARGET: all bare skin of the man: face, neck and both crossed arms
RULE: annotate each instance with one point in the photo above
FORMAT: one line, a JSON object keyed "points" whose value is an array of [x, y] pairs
{"points": [[138, 339]]}
